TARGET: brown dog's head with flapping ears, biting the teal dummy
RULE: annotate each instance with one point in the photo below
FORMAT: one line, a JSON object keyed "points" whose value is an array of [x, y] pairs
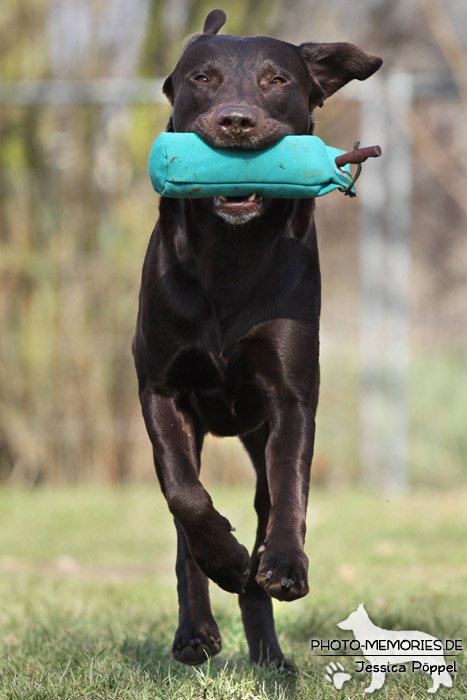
{"points": [[249, 92]]}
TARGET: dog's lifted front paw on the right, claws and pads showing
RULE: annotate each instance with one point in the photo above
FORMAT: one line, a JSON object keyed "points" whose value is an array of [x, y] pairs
{"points": [[282, 574]]}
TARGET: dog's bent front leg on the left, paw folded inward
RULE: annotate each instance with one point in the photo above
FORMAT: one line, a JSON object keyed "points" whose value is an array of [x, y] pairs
{"points": [[210, 541]]}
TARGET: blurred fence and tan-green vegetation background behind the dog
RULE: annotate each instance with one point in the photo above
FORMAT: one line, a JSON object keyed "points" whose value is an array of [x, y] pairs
{"points": [[80, 104]]}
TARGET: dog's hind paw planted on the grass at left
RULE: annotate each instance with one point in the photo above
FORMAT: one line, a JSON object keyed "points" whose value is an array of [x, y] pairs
{"points": [[196, 644]]}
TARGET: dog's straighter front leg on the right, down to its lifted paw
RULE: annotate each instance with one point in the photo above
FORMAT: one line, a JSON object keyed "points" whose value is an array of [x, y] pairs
{"points": [[283, 569]]}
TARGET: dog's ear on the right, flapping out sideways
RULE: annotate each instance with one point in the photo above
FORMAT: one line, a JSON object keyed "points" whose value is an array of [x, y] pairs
{"points": [[333, 65]]}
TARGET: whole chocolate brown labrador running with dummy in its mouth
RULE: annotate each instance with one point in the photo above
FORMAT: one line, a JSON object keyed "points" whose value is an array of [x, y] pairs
{"points": [[227, 331]]}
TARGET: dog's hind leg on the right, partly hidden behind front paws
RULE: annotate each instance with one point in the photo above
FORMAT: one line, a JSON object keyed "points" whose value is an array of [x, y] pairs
{"points": [[255, 602]]}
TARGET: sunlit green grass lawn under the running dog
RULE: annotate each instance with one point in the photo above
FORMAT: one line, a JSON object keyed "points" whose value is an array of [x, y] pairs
{"points": [[88, 601]]}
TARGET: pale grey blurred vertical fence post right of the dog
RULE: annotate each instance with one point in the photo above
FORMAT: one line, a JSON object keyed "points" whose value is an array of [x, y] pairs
{"points": [[385, 193]]}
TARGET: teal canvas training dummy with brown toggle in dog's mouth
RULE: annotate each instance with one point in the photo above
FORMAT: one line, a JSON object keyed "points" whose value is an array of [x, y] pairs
{"points": [[183, 165]]}
